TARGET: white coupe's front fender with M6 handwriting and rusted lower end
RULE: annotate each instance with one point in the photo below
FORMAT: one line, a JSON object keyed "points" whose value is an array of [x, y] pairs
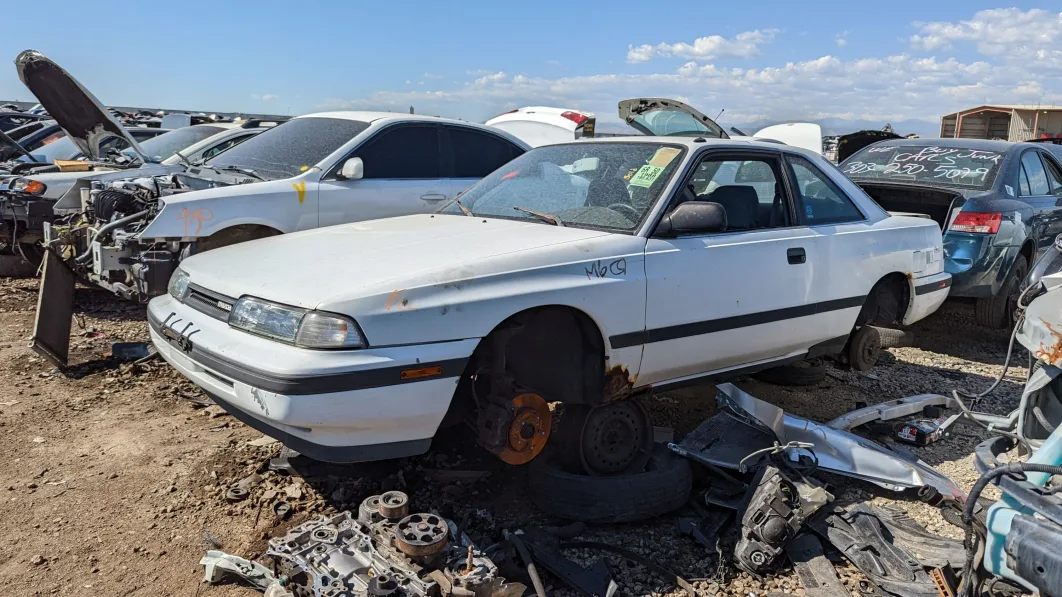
{"points": [[604, 279]]}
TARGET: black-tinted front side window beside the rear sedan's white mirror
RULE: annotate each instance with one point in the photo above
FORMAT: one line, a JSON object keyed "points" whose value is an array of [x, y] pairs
{"points": [[402, 152]]}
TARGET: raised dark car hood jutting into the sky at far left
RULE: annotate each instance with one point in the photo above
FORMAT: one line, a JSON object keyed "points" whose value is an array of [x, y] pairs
{"points": [[78, 112]]}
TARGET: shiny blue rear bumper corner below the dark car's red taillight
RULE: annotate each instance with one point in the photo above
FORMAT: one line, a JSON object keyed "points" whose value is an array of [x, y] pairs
{"points": [[979, 266]]}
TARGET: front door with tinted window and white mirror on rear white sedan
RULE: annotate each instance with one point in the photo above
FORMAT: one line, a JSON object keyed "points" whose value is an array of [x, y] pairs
{"points": [[402, 177]]}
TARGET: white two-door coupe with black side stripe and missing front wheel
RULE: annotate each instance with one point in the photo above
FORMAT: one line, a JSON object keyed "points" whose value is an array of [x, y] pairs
{"points": [[581, 274]]}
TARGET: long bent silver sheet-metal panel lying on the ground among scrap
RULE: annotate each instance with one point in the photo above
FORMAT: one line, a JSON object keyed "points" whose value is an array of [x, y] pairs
{"points": [[841, 452]]}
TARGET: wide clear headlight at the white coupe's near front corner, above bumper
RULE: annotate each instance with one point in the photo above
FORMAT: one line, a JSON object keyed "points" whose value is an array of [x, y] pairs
{"points": [[302, 328]]}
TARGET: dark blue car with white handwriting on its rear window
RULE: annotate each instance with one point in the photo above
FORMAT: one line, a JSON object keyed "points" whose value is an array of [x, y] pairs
{"points": [[999, 204]]}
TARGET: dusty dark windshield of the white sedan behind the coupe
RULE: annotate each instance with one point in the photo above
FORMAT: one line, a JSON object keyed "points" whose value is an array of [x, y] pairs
{"points": [[292, 148]]}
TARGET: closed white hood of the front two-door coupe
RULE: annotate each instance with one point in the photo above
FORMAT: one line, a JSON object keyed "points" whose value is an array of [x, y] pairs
{"points": [[338, 264]]}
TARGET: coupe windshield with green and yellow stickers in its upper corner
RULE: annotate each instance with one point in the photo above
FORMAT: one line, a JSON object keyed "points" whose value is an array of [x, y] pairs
{"points": [[597, 185]]}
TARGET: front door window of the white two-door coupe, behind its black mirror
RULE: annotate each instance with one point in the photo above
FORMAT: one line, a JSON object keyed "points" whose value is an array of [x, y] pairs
{"points": [[750, 191]]}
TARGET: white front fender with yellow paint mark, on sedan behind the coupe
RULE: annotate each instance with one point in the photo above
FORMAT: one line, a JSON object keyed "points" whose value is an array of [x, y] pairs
{"points": [[286, 206]]}
